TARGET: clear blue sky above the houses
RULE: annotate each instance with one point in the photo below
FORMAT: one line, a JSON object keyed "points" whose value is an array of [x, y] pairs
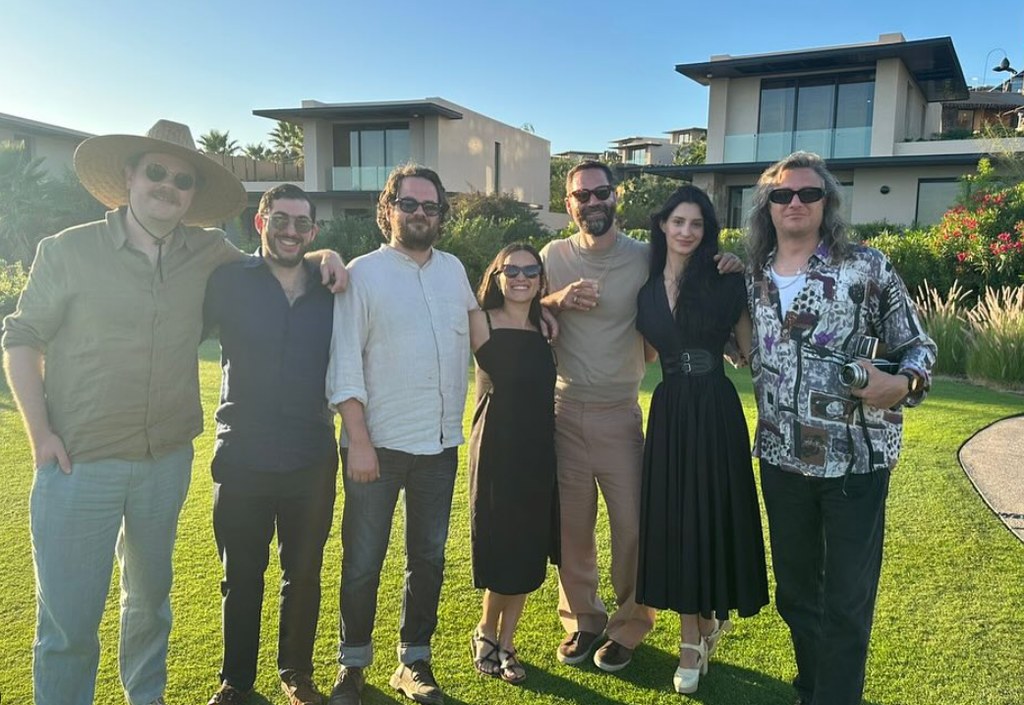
{"points": [[582, 73]]}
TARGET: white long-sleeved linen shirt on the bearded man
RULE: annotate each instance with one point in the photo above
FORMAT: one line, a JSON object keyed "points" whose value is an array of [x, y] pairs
{"points": [[401, 347]]}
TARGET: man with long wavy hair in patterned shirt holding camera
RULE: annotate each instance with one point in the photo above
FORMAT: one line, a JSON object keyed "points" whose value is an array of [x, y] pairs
{"points": [[830, 421]]}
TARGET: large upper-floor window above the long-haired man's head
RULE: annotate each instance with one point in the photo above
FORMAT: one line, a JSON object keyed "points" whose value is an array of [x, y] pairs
{"points": [[831, 116]]}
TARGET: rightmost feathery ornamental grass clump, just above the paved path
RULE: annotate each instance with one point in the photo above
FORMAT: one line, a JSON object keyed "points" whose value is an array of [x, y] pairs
{"points": [[998, 338]]}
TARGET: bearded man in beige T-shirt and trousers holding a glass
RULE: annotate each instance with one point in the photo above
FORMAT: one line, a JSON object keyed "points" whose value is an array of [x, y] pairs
{"points": [[594, 277]]}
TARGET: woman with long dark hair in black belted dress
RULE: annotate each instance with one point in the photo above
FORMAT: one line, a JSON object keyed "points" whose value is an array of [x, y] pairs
{"points": [[702, 553]]}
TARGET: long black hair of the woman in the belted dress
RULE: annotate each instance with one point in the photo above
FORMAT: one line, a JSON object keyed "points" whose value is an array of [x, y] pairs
{"points": [[701, 266]]}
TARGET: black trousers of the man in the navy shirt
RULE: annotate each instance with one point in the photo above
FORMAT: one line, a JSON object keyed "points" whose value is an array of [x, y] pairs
{"points": [[245, 517]]}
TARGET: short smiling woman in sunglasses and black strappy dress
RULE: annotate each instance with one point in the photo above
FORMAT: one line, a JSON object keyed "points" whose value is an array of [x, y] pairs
{"points": [[514, 496]]}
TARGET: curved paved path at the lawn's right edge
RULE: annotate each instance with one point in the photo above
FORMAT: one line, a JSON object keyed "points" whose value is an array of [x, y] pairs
{"points": [[994, 460]]}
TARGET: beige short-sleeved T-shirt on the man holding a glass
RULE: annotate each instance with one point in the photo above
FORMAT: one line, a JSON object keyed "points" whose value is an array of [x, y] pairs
{"points": [[601, 353]]}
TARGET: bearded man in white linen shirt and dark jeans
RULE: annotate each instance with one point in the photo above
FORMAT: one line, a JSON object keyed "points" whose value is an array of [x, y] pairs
{"points": [[398, 376]]}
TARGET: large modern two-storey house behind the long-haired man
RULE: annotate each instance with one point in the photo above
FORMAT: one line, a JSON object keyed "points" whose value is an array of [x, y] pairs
{"points": [[874, 111]]}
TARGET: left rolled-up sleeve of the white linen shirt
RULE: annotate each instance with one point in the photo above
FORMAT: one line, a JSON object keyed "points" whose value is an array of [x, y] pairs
{"points": [[346, 379]]}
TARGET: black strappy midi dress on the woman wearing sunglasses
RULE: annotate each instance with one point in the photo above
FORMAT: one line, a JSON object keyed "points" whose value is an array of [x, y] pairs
{"points": [[514, 491]]}
